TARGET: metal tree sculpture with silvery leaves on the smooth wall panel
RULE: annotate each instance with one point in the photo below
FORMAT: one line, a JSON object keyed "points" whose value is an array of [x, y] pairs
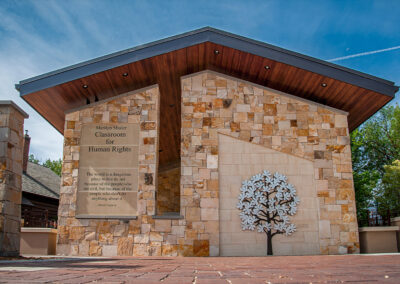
{"points": [[266, 201]]}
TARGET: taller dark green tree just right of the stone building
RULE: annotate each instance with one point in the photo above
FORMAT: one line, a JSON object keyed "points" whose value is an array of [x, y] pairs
{"points": [[373, 145]]}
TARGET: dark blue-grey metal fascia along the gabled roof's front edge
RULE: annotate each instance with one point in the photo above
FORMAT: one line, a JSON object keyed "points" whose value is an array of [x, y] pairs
{"points": [[198, 36]]}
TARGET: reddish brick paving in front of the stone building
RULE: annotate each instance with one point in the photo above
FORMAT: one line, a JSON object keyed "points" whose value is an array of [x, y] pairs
{"points": [[289, 269]]}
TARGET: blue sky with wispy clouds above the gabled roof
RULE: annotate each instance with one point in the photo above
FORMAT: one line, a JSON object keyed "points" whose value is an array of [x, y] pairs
{"points": [[40, 36]]}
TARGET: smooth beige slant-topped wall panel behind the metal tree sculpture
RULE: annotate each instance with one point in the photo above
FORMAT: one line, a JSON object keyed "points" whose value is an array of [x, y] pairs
{"points": [[239, 161]]}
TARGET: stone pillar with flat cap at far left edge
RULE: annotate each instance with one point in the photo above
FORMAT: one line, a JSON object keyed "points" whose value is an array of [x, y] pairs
{"points": [[11, 148]]}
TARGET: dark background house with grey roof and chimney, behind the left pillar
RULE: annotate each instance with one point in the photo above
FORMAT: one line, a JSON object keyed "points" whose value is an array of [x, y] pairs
{"points": [[40, 193]]}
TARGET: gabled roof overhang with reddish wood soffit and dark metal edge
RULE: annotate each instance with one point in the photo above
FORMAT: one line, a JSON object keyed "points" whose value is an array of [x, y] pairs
{"points": [[164, 62]]}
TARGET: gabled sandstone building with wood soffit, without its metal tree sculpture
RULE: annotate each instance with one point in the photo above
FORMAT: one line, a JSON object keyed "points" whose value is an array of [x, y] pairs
{"points": [[160, 137]]}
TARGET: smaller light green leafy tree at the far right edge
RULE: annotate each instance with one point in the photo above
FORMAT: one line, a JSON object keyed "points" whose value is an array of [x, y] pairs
{"points": [[388, 193]]}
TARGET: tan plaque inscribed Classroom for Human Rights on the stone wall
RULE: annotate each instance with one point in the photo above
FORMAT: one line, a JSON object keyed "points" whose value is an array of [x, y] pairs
{"points": [[108, 171]]}
